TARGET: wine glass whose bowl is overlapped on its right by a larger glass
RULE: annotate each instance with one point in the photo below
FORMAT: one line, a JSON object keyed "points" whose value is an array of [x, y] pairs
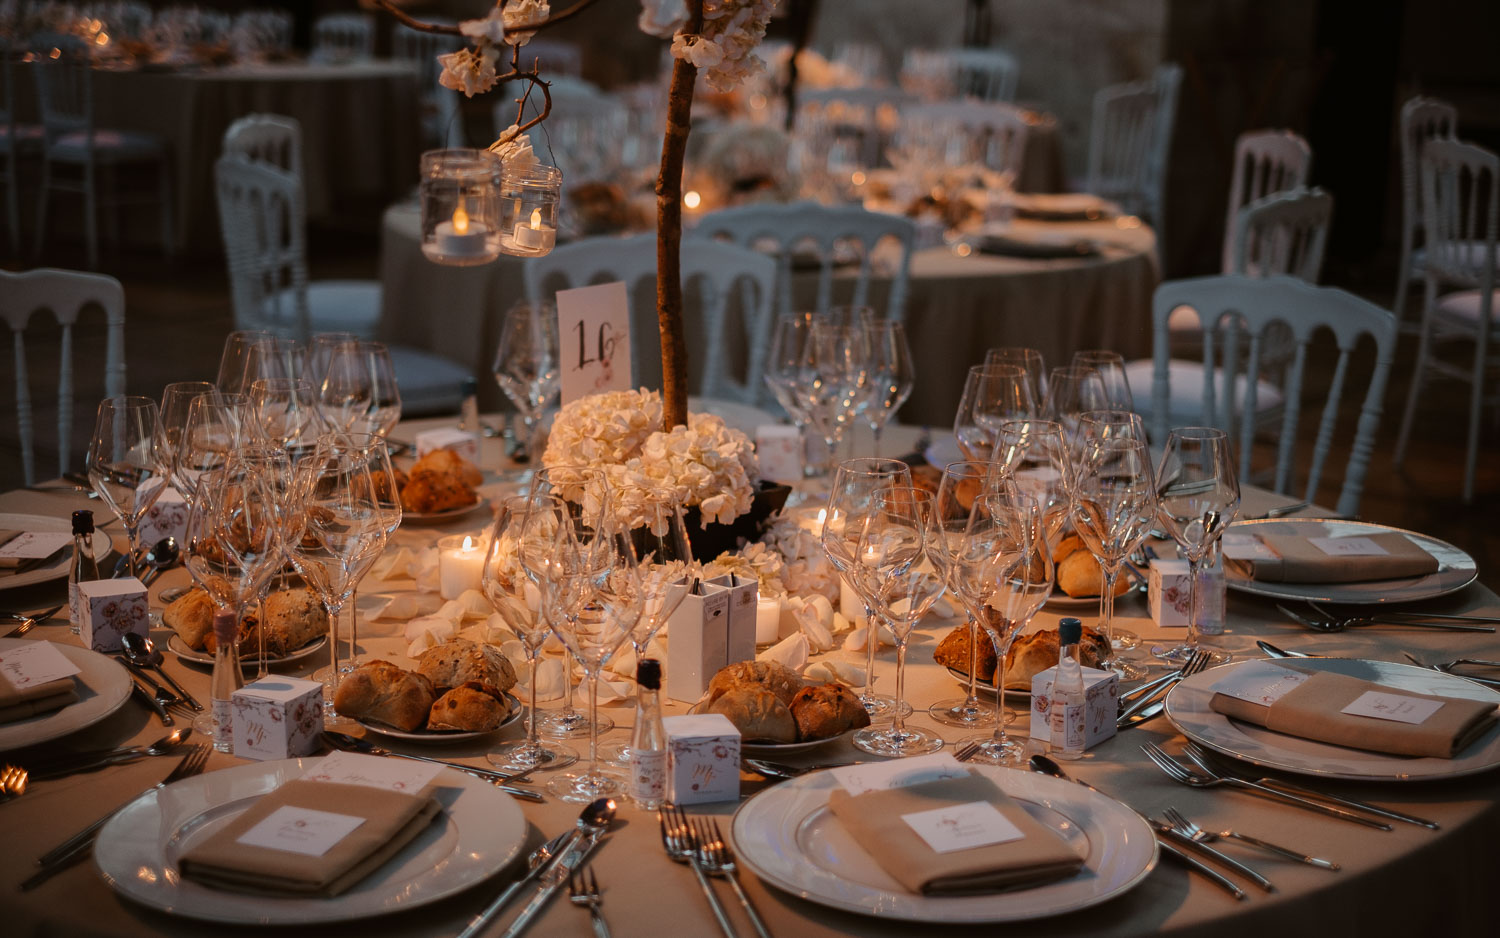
{"points": [[962, 489]]}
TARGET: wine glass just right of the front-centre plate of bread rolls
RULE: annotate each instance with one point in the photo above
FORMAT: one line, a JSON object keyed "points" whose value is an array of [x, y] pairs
{"points": [[896, 549]]}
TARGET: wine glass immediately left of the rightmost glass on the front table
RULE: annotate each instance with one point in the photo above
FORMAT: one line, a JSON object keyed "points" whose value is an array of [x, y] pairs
{"points": [[1114, 507]]}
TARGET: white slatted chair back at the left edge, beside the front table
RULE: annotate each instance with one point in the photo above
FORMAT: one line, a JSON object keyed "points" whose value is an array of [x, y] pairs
{"points": [[65, 295]]}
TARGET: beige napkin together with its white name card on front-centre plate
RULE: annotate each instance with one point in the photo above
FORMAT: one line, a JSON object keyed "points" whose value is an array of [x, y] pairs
{"points": [[992, 843]]}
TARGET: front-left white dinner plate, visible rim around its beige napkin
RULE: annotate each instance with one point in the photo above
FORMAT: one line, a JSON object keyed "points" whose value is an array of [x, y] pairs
{"points": [[478, 834]]}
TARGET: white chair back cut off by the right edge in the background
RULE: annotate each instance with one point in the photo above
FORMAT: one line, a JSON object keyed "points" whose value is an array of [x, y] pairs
{"points": [[1460, 214]]}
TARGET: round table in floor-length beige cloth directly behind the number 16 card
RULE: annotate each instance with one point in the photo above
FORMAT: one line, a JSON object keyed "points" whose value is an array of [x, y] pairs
{"points": [[958, 307]]}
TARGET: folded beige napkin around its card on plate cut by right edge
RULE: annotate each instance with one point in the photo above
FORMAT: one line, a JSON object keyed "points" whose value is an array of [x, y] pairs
{"points": [[1315, 711]]}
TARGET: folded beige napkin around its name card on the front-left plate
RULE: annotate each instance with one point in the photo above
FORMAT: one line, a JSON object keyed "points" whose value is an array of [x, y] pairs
{"points": [[392, 820]]}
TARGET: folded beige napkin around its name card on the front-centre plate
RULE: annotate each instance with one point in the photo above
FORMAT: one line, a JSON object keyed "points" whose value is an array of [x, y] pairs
{"points": [[875, 822]]}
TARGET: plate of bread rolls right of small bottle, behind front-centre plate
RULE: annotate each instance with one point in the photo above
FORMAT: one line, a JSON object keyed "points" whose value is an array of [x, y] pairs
{"points": [[776, 712]]}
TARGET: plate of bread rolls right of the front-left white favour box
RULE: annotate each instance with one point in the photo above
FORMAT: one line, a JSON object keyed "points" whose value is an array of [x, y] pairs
{"points": [[458, 691]]}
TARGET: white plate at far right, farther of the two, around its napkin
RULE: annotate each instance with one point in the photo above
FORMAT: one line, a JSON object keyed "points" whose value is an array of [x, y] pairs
{"points": [[1454, 573]]}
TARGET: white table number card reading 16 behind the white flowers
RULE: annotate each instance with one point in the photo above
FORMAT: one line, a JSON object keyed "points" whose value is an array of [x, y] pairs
{"points": [[595, 340]]}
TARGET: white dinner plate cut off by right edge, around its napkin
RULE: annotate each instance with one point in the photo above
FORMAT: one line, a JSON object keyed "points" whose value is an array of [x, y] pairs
{"points": [[1189, 711]]}
